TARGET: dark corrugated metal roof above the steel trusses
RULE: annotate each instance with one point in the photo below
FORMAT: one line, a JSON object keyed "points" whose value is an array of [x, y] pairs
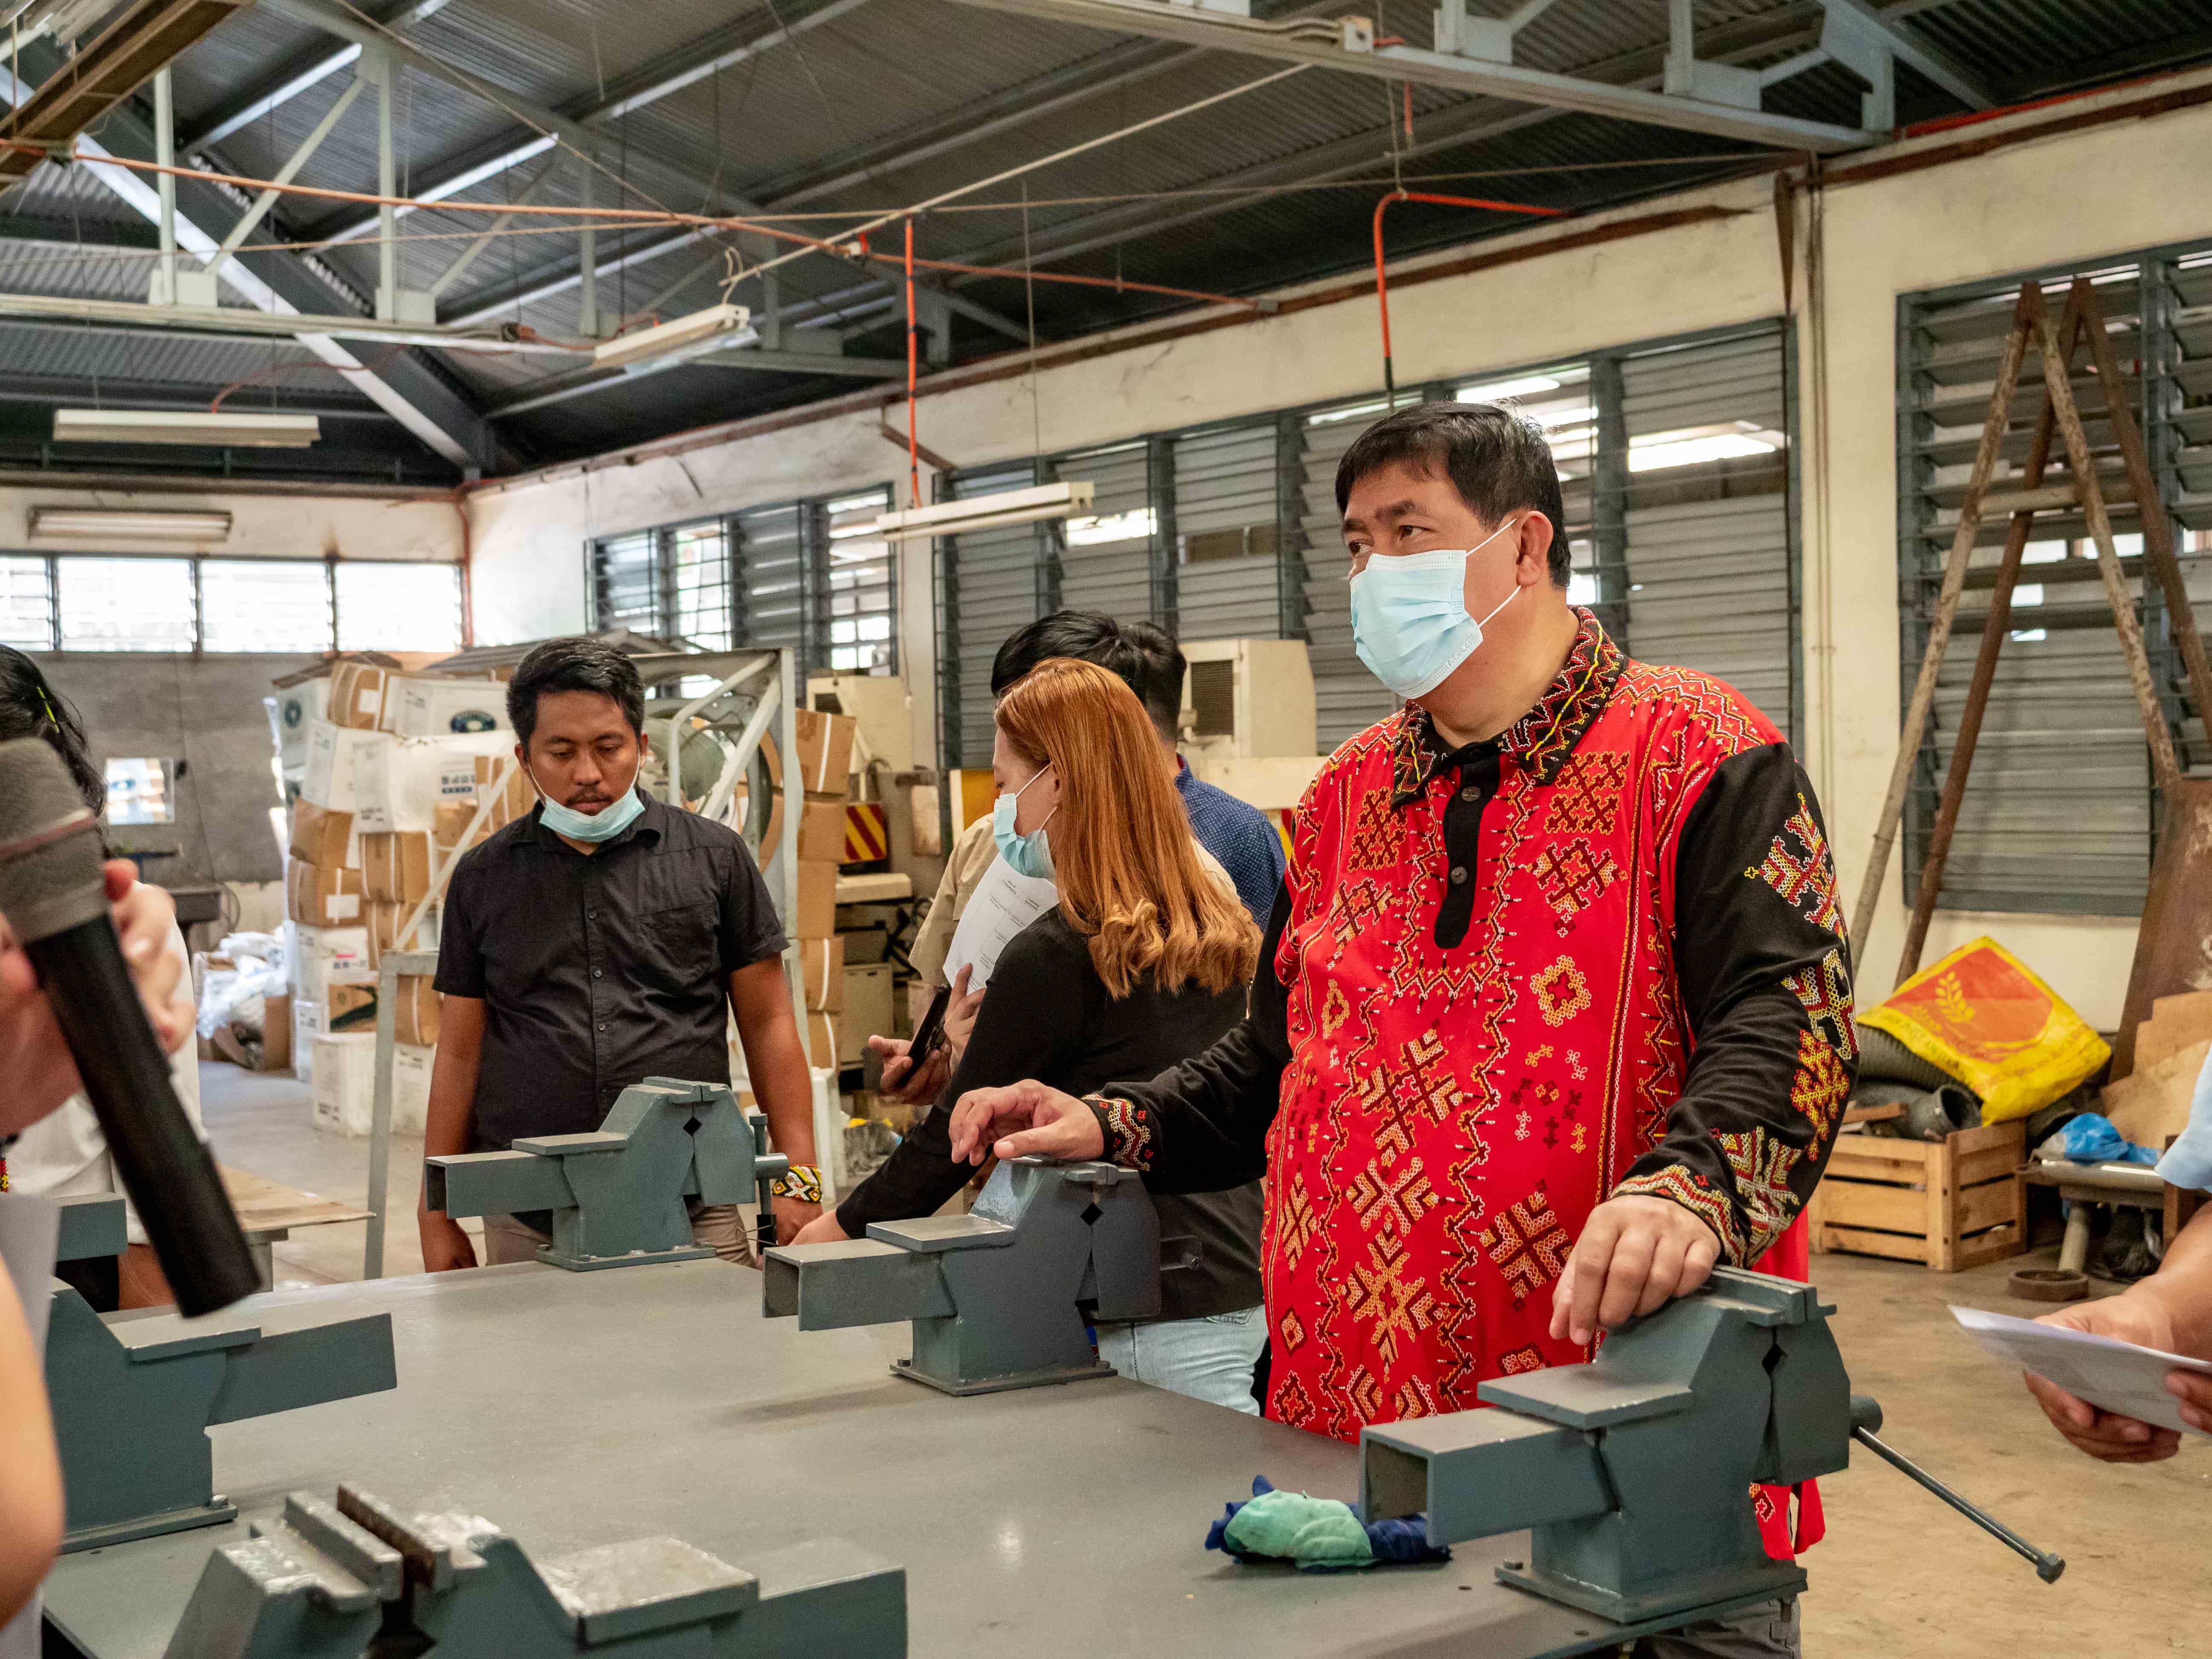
{"points": [[897, 76]]}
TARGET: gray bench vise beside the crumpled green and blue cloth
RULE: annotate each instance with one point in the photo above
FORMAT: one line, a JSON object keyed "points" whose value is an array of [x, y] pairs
{"points": [[1634, 1472]]}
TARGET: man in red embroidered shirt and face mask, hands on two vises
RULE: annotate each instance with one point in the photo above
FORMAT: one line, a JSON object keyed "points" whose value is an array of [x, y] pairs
{"points": [[1561, 1008]]}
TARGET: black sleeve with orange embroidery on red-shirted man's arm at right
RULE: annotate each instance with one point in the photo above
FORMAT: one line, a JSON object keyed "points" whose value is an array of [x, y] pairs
{"points": [[1766, 1001]]}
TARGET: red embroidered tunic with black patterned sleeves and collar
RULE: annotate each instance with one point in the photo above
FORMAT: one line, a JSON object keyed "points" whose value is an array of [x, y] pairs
{"points": [[1596, 957]]}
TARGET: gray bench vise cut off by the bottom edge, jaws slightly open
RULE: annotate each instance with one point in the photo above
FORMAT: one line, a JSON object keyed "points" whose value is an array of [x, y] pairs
{"points": [[351, 1578]]}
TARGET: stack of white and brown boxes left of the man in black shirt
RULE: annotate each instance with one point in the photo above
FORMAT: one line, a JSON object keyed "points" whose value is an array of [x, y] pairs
{"points": [[388, 771]]}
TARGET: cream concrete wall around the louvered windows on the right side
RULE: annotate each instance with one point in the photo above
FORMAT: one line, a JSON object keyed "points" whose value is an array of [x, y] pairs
{"points": [[2052, 200]]}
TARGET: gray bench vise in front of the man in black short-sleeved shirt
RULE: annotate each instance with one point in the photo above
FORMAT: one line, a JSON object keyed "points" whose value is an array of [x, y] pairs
{"points": [[618, 1193]]}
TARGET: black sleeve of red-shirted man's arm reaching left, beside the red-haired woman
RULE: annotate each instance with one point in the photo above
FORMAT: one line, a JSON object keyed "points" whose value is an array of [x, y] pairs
{"points": [[1202, 1127]]}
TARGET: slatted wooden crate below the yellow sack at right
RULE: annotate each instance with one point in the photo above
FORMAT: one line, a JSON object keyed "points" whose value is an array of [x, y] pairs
{"points": [[1945, 1204]]}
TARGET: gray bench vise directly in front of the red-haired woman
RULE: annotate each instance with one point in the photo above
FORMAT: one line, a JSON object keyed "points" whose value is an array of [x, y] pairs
{"points": [[992, 1293]]}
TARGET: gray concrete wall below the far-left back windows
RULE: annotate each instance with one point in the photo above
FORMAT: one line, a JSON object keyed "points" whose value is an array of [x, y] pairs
{"points": [[205, 711]]}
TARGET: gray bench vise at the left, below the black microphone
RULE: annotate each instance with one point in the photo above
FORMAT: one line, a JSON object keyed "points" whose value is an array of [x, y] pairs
{"points": [[132, 1419]]}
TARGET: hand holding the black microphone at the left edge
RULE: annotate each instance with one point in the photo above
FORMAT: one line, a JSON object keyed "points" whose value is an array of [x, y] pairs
{"points": [[34, 1058]]}
